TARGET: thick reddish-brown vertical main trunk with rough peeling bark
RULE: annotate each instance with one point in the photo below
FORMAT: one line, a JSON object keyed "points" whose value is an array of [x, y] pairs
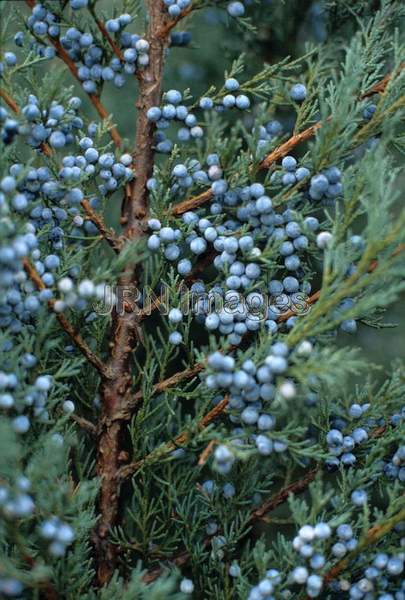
{"points": [[125, 328]]}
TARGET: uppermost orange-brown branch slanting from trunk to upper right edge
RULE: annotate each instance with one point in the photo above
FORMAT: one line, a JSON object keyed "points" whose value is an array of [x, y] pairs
{"points": [[279, 152]]}
